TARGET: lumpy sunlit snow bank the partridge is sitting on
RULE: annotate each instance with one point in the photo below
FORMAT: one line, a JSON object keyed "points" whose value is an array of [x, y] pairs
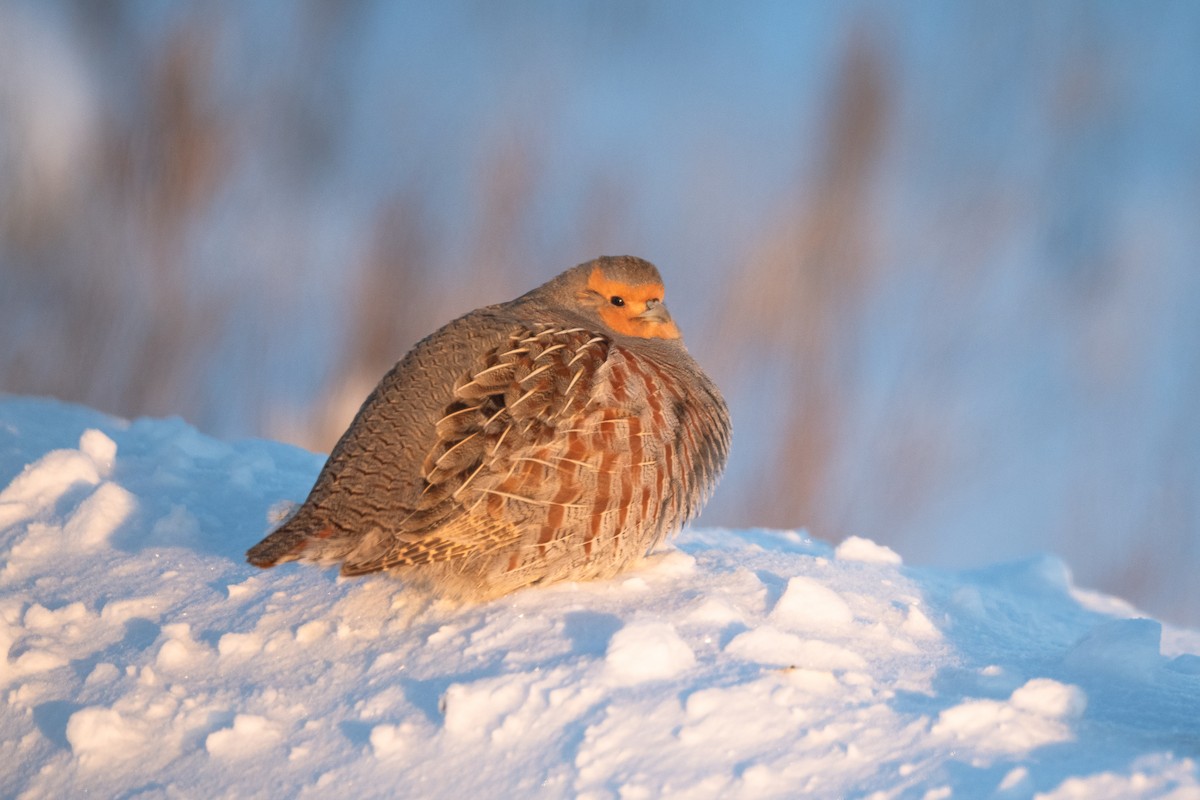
{"points": [[143, 658]]}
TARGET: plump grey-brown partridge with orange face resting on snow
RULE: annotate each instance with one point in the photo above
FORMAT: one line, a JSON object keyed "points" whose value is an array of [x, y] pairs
{"points": [[561, 436]]}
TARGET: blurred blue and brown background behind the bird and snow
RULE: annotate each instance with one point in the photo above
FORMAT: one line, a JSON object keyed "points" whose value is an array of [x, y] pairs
{"points": [[941, 257]]}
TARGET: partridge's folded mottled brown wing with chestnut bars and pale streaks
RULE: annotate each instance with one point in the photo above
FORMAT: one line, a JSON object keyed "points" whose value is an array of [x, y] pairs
{"points": [[559, 458]]}
